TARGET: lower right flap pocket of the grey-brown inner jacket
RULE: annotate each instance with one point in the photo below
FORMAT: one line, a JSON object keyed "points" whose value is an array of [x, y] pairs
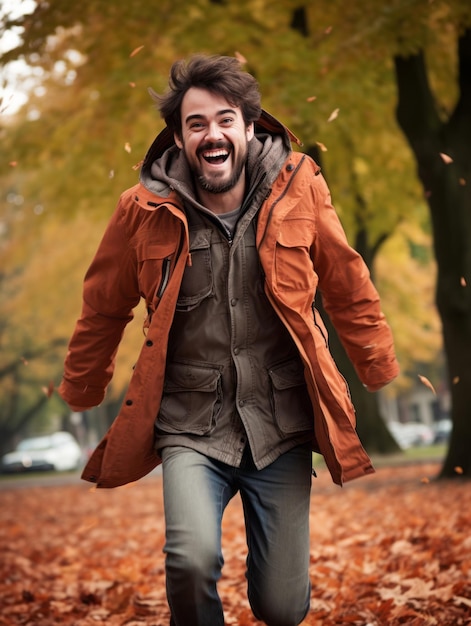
{"points": [[291, 403]]}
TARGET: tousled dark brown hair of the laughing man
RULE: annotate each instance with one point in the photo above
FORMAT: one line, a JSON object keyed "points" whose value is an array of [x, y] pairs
{"points": [[219, 74]]}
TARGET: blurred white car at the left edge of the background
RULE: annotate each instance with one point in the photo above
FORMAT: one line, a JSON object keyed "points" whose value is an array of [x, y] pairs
{"points": [[59, 451]]}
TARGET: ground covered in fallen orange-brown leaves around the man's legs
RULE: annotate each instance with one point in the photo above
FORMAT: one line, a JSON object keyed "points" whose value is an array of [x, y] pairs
{"points": [[393, 548]]}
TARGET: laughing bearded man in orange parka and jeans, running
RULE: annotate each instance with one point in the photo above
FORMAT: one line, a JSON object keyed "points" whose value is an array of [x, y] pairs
{"points": [[226, 237]]}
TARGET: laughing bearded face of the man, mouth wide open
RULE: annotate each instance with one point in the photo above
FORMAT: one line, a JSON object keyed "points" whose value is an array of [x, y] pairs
{"points": [[214, 138]]}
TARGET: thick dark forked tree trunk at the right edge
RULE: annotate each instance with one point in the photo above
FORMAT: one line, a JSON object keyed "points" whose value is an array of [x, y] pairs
{"points": [[443, 154]]}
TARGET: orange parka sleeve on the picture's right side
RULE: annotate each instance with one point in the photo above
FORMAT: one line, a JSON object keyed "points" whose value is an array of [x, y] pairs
{"points": [[350, 298]]}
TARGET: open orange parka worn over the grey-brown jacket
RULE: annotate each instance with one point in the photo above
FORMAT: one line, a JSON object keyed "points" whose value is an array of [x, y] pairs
{"points": [[301, 245]]}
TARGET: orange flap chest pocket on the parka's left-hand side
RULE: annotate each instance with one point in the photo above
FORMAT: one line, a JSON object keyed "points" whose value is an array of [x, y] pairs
{"points": [[154, 262]]}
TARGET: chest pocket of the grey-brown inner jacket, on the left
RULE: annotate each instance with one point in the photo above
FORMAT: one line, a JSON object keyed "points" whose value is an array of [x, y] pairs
{"points": [[197, 283]]}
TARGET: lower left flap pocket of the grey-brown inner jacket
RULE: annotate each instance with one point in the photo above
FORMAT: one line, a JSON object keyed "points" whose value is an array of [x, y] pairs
{"points": [[191, 400]]}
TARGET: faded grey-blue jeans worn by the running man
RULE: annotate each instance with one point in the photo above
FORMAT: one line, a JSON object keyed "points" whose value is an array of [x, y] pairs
{"points": [[276, 502]]}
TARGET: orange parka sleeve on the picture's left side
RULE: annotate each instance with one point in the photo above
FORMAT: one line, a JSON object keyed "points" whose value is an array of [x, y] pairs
{"points": [[110, 292]]}
